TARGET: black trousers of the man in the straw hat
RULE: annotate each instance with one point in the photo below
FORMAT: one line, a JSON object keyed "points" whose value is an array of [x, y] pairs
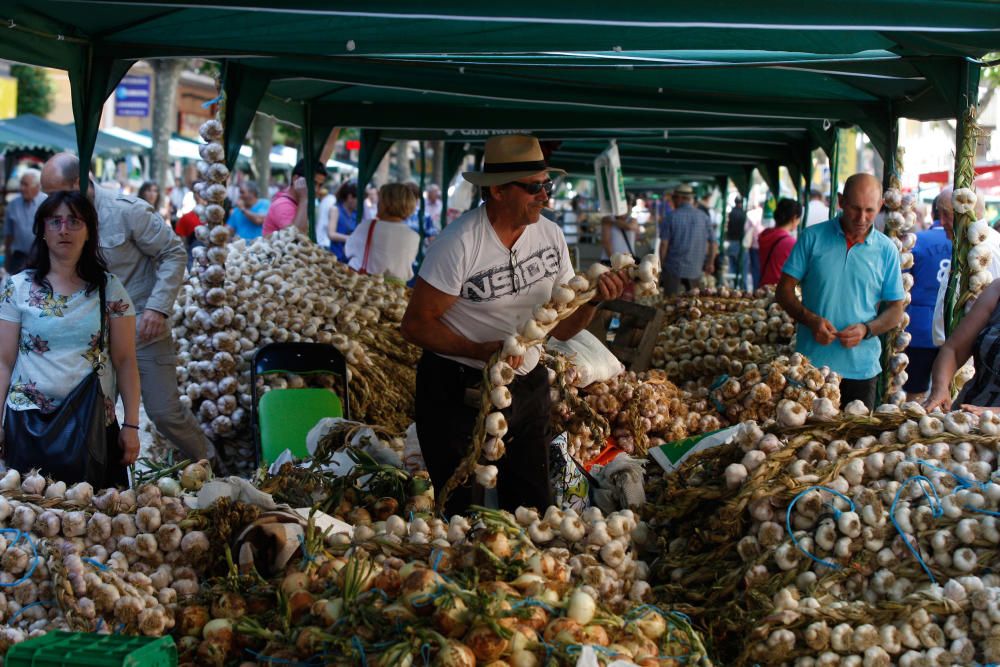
{"points": [[447, 405]]}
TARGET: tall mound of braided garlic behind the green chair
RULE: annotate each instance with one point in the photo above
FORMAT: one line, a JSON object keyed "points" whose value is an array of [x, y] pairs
{"points": [[286, 288]]}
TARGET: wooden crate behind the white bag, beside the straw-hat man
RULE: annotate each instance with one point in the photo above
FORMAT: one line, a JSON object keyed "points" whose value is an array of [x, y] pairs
{"points": [[634, 339]]}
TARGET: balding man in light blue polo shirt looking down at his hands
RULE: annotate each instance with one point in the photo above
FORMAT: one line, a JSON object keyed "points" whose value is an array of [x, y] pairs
{"points": [[852, 290]]}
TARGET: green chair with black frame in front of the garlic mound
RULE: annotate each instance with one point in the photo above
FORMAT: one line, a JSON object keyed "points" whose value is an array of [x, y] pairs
{"points": [[283, 417]]}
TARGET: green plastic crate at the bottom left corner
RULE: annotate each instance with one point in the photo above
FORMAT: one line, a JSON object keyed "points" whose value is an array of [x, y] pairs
{"points": [[83, 649]]}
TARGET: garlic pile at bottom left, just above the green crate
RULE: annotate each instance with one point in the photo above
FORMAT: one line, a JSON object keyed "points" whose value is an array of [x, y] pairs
{"points": [[107, 561]]}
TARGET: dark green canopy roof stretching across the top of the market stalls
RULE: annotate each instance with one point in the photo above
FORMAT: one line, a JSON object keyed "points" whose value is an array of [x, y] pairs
{"points": [[736, 85]]}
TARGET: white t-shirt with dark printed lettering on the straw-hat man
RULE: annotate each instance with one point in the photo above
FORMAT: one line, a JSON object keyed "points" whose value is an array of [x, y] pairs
{"points": [[469, 261]]}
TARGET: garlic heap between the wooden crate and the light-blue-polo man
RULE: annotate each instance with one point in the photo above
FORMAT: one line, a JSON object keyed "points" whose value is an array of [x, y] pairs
{"points": [[709, 336]]}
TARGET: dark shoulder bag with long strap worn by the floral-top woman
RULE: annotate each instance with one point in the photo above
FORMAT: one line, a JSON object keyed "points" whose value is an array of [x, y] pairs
{"points": [[71, 443]]}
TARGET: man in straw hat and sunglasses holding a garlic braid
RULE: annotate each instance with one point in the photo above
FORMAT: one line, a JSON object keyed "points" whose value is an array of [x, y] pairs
{"points": [[479, 282]]}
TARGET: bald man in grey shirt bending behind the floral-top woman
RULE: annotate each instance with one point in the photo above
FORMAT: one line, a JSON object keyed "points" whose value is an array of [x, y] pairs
{"points": [[149, 259]]}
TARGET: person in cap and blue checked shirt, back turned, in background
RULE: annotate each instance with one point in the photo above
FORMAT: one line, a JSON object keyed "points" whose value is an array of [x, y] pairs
{"points": [[687, 249]]}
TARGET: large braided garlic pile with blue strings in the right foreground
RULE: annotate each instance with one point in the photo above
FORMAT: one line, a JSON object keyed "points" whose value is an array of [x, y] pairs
{"points": [[813, 528]]}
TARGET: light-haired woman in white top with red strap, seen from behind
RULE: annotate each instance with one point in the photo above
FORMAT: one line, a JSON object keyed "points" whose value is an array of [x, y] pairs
{"points": [[386, 245]]}
